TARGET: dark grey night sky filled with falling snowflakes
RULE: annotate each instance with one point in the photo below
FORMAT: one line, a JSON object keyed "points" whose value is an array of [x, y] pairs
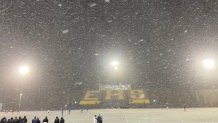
{"points": [[71, 41]]}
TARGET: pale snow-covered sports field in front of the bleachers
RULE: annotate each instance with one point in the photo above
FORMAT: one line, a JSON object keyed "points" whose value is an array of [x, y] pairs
{"points": [[192, 115]]}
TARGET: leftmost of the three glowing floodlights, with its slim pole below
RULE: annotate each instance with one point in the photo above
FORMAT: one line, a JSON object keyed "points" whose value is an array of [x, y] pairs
{"points": [[24, 71]]}
